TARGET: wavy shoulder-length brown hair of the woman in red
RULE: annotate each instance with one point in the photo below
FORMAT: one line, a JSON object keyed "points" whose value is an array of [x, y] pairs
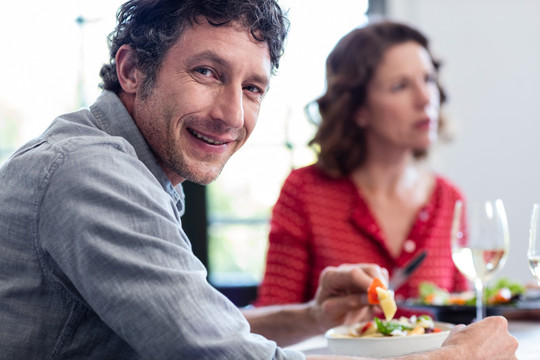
{"points": [[349, 69]]}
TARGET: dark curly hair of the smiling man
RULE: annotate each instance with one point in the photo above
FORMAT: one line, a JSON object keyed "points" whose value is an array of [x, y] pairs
{"points": [[152, 27]]}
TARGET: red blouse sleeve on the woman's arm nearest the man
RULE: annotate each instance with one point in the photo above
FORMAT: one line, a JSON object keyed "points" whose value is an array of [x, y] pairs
{"points": [[286, 274]]}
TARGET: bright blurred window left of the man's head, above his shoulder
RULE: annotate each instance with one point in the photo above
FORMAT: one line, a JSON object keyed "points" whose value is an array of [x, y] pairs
{"points": [[51, 57]]}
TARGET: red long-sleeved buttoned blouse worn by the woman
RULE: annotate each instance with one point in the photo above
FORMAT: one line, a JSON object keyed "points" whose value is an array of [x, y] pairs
{"points": [[319, 221]]}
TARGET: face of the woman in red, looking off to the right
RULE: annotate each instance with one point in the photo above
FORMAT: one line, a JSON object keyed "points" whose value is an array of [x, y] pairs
{"points": [[402, 107]]}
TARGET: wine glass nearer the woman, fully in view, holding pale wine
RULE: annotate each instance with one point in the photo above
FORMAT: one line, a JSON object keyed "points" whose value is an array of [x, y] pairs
{"points": [[480, 244]]}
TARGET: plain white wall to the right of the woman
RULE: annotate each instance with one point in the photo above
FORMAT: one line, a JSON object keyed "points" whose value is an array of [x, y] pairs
{"points": [[491, 55]]}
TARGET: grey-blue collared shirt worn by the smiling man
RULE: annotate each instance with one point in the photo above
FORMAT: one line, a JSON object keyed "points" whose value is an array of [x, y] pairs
{"points": [[94, 263]]}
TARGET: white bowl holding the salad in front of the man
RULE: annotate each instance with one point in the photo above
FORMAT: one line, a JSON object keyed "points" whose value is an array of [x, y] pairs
{"points": [[384, 346]]}
